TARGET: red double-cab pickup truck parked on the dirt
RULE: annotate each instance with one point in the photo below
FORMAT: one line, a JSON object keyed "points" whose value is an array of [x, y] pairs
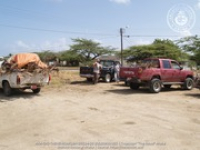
{"points": [[157, 73]]}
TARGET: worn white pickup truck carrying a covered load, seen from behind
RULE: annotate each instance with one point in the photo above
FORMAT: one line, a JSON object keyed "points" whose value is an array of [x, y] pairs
{"points": [[22, 79]]}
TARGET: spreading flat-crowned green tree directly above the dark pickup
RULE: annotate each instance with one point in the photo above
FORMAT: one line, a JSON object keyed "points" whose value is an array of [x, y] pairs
{"points": [[89, 50]]}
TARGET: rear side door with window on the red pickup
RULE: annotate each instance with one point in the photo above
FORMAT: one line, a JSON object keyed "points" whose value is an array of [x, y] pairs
{"points": [[166, 71]]}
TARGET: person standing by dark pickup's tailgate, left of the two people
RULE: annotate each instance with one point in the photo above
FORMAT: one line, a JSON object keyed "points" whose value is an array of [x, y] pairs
{"points": [[96, 70]]}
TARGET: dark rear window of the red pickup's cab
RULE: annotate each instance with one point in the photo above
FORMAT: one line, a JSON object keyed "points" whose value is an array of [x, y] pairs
{"points": [[150, 63]]}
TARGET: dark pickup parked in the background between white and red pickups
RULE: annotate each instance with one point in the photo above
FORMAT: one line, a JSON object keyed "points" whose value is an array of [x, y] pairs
{"points": [[106, 72]]}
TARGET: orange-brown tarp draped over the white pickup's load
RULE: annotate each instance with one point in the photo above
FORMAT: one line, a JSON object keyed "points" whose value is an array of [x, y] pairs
{"points": [[21, 60]]}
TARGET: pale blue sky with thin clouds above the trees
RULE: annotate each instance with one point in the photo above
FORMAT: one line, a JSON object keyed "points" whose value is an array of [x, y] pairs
{"points": [[37, 25]]}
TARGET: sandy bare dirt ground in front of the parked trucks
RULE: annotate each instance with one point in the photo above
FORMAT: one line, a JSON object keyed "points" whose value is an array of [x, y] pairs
{"points": [[79, 115]]}
